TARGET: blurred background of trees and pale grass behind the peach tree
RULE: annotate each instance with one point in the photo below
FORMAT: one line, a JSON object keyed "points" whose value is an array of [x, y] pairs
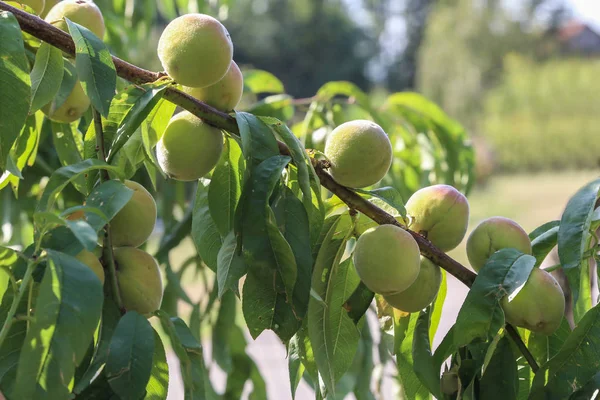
{"points": [[520, 75]]}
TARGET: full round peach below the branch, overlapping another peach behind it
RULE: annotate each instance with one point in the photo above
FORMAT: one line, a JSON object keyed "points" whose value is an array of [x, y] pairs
{"points": [[387, 259]]}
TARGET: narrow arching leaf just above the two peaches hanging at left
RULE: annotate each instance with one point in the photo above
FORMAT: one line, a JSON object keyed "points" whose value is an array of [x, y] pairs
{"points": [[64, 175]]}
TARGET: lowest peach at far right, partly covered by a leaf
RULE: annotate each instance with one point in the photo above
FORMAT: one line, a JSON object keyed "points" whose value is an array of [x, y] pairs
{"points": [[539, 306]]}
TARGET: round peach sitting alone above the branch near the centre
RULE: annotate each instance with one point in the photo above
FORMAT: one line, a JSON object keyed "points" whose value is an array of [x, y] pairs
{"points": [[360, 153]]}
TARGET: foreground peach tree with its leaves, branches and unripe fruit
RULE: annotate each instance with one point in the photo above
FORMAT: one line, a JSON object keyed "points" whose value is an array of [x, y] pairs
{"points": [[312, 218]]}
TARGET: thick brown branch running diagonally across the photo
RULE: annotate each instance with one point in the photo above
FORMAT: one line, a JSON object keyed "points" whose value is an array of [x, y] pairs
{"points": [[54, 36]]}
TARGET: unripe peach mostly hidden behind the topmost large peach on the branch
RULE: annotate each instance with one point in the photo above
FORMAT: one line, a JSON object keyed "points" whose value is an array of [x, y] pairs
{"points": [[223, 95]]}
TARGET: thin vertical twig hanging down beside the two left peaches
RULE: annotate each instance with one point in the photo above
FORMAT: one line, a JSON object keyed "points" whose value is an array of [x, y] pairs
{"points": [[108, 256]]}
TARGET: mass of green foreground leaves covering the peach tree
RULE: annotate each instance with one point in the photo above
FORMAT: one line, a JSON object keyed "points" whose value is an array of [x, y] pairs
{"points": [[259, 222]]}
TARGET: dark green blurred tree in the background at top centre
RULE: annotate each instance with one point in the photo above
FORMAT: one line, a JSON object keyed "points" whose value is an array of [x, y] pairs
{"points": [[304, 43]]}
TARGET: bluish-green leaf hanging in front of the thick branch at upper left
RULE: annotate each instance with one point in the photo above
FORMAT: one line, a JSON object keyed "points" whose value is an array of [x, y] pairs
{"points": [[95, 67]]}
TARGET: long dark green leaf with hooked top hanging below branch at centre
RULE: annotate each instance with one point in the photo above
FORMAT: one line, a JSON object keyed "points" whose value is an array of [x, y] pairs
{"points": [[272, 267]]}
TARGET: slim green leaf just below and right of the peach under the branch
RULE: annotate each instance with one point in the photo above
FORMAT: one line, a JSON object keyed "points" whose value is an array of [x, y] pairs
{"points": [[204, 230]]}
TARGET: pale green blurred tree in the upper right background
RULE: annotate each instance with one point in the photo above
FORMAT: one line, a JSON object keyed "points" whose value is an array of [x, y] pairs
{"points": [[464, 45]]}
